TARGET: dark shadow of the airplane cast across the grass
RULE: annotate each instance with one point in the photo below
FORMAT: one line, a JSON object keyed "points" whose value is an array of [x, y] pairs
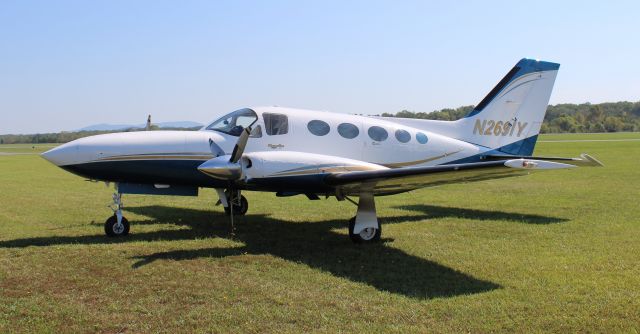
{"points": [[314, 244]]}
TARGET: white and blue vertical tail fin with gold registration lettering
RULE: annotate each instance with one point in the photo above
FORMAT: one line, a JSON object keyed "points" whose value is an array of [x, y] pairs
{"points": [[509, 118]]}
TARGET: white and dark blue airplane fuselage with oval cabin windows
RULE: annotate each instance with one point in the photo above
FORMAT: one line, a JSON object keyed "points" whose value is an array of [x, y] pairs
{"points": [[338, 142]]}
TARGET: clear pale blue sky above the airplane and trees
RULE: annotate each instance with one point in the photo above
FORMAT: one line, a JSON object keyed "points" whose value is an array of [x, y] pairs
{"points": [[68, 64]]}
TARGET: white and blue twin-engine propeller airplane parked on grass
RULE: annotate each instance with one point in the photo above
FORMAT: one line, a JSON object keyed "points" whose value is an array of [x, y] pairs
{"points": [[318, 153]]}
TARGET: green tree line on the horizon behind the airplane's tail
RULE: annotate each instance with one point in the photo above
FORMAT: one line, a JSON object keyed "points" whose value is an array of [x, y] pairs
{"points": [[560, 118]]}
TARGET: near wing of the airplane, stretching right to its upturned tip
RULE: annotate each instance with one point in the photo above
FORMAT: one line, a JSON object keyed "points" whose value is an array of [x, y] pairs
{"points": [[391, 181]]}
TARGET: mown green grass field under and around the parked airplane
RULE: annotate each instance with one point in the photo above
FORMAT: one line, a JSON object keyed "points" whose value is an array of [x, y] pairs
{"points": [[550, 252]]}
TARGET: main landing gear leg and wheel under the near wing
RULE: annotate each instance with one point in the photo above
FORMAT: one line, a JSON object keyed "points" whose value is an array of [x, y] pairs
{"points": [[364, 227]]}
